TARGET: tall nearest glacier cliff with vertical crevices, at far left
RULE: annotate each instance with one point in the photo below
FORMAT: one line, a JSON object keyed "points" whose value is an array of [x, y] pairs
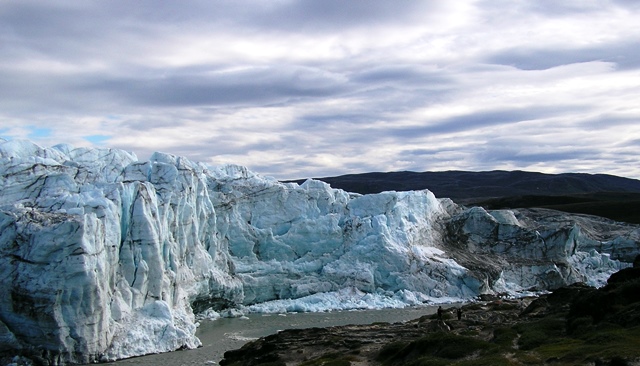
{"points": [[102, 256]]}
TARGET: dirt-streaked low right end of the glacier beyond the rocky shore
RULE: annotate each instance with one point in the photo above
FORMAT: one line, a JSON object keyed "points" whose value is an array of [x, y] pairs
{"points": [[539, 249]]}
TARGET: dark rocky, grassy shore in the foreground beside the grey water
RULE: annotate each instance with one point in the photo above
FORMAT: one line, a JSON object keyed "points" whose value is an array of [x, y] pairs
{"points": [[575, 325]]}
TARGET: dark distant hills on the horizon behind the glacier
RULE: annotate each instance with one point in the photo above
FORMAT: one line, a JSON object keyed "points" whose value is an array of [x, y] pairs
{"points": [[603, 195]]}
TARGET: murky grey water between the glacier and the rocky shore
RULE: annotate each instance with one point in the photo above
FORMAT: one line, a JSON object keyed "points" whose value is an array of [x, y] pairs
{"points": [[225, 334]]}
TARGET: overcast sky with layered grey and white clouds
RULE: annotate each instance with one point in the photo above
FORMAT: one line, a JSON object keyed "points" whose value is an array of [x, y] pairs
{"points": [[313, 88]]}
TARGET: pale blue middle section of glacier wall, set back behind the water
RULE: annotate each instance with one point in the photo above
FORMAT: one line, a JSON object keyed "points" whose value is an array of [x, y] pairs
{"points": [[291, 241]]}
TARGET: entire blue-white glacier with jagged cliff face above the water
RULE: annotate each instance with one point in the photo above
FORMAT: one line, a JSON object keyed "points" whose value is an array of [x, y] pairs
{"points": [[104, 257]]}
